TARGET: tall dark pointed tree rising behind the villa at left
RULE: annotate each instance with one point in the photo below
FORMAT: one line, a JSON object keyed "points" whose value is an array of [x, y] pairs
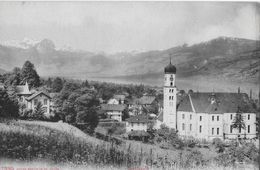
{"points": [[30, 75]]}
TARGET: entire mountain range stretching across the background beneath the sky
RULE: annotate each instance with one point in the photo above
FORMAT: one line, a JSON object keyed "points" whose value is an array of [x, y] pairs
{"points": [[221, 59]]}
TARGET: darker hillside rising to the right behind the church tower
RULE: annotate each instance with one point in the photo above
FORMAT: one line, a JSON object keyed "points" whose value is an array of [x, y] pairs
{"points": [[229, 57]]}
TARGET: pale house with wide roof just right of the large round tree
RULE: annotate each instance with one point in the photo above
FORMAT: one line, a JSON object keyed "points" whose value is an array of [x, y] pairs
{"points": [[113, 111]]}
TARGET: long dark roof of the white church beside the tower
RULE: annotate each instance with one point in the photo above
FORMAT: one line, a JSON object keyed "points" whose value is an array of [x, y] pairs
{"points": [[217, 103]]}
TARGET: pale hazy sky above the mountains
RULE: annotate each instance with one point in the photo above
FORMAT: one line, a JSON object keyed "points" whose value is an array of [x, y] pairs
{"points": [[127, 26]]}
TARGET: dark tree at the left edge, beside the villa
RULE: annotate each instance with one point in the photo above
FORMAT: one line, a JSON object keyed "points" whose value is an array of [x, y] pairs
{"points": [[8, 106]]}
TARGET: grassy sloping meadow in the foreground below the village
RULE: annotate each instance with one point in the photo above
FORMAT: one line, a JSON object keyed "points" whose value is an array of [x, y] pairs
{"points": [[66, 146]]}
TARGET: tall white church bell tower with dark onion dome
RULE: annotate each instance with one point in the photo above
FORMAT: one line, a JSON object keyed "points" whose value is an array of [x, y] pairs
{"points": [[169, 96]]}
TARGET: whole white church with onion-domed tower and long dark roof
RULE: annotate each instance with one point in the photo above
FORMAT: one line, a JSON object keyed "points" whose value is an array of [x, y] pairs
{"points": [[205, 115]]}
